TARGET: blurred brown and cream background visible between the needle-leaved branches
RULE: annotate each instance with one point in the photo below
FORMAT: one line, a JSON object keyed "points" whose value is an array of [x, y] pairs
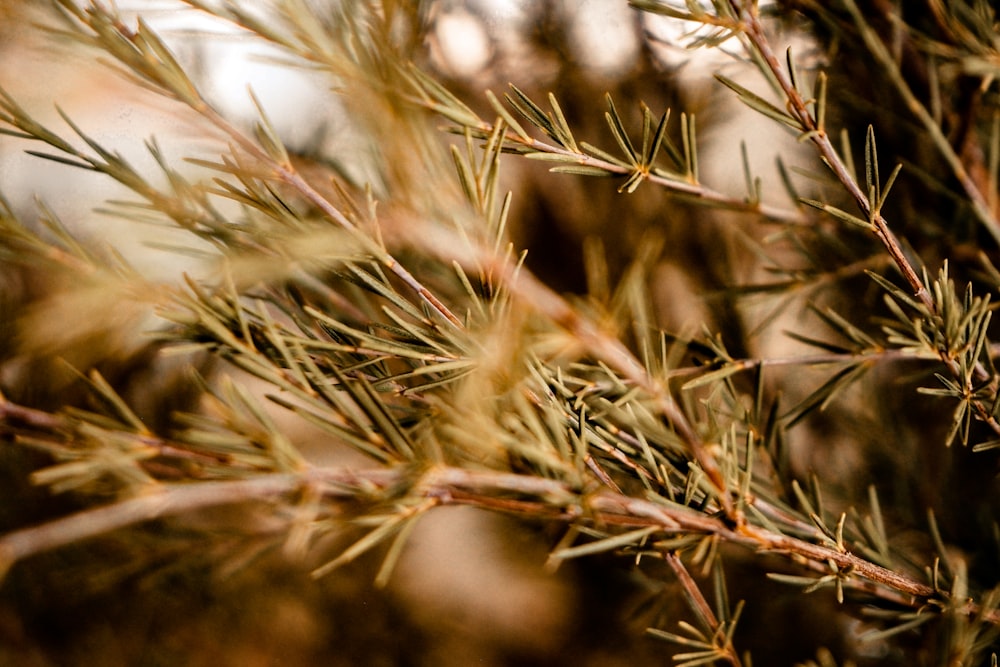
{"points": [[472, 588]]}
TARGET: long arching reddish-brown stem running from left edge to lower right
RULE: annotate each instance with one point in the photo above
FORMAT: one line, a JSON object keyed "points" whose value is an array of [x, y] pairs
{"points": [[524, 495]]}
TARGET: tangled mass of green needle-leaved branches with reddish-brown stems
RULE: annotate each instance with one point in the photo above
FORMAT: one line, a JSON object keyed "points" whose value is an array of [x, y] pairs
{"points": [[462, 379]]}
